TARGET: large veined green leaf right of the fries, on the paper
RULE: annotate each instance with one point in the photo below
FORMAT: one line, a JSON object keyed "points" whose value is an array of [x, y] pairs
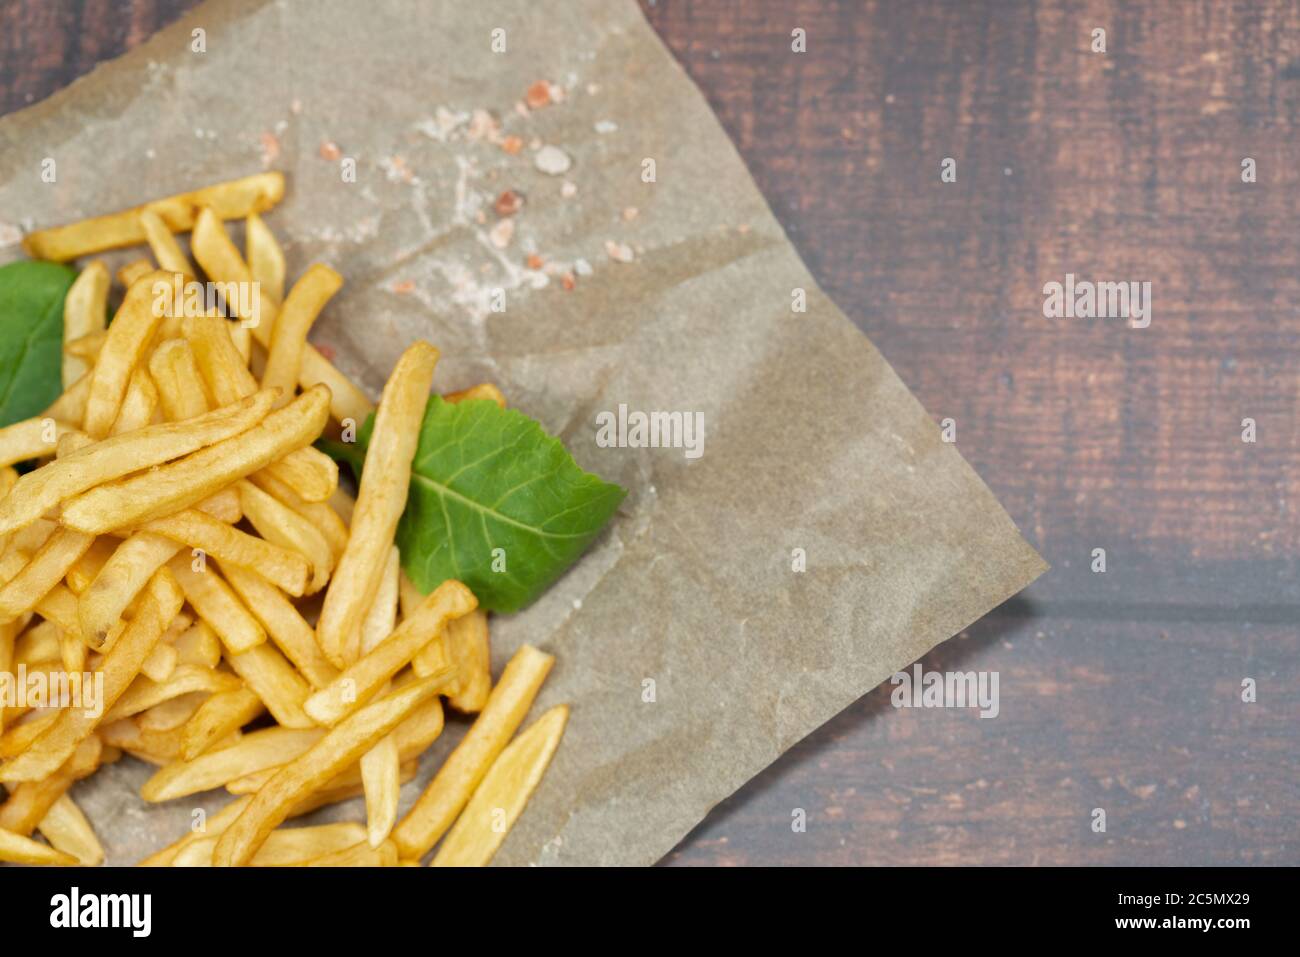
{"points": [[487, 478]]}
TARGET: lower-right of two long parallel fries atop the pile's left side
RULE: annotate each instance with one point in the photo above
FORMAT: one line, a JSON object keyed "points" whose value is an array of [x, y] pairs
{"points": [[180, 484]]}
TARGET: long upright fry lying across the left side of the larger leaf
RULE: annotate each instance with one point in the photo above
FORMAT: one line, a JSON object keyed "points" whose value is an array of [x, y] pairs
{"points": [[380, 500]]}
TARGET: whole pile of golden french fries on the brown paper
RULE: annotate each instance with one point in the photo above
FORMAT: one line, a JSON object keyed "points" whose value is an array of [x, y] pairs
{"points": [[176, 543]]}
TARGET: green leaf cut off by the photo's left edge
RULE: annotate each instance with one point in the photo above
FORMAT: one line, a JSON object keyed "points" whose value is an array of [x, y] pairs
{"points": [[32, 337]]}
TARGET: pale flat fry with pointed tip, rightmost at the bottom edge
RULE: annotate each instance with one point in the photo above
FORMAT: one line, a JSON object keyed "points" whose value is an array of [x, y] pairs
{"points": [[501, 798]]}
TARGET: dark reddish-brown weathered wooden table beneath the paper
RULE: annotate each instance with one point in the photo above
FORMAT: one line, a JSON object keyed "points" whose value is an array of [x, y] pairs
{"points": [[1123, 690]]}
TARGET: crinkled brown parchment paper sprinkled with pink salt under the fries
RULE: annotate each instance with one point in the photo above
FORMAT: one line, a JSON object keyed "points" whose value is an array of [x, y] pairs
{"points": [[811, 440]]}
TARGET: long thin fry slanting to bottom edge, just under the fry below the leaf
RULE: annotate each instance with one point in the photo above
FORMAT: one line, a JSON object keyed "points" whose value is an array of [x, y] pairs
{"points": [[300, 778]]}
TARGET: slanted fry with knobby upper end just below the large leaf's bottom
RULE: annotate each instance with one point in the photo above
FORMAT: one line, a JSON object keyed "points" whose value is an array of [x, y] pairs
{"points": [[359, 682]]}
